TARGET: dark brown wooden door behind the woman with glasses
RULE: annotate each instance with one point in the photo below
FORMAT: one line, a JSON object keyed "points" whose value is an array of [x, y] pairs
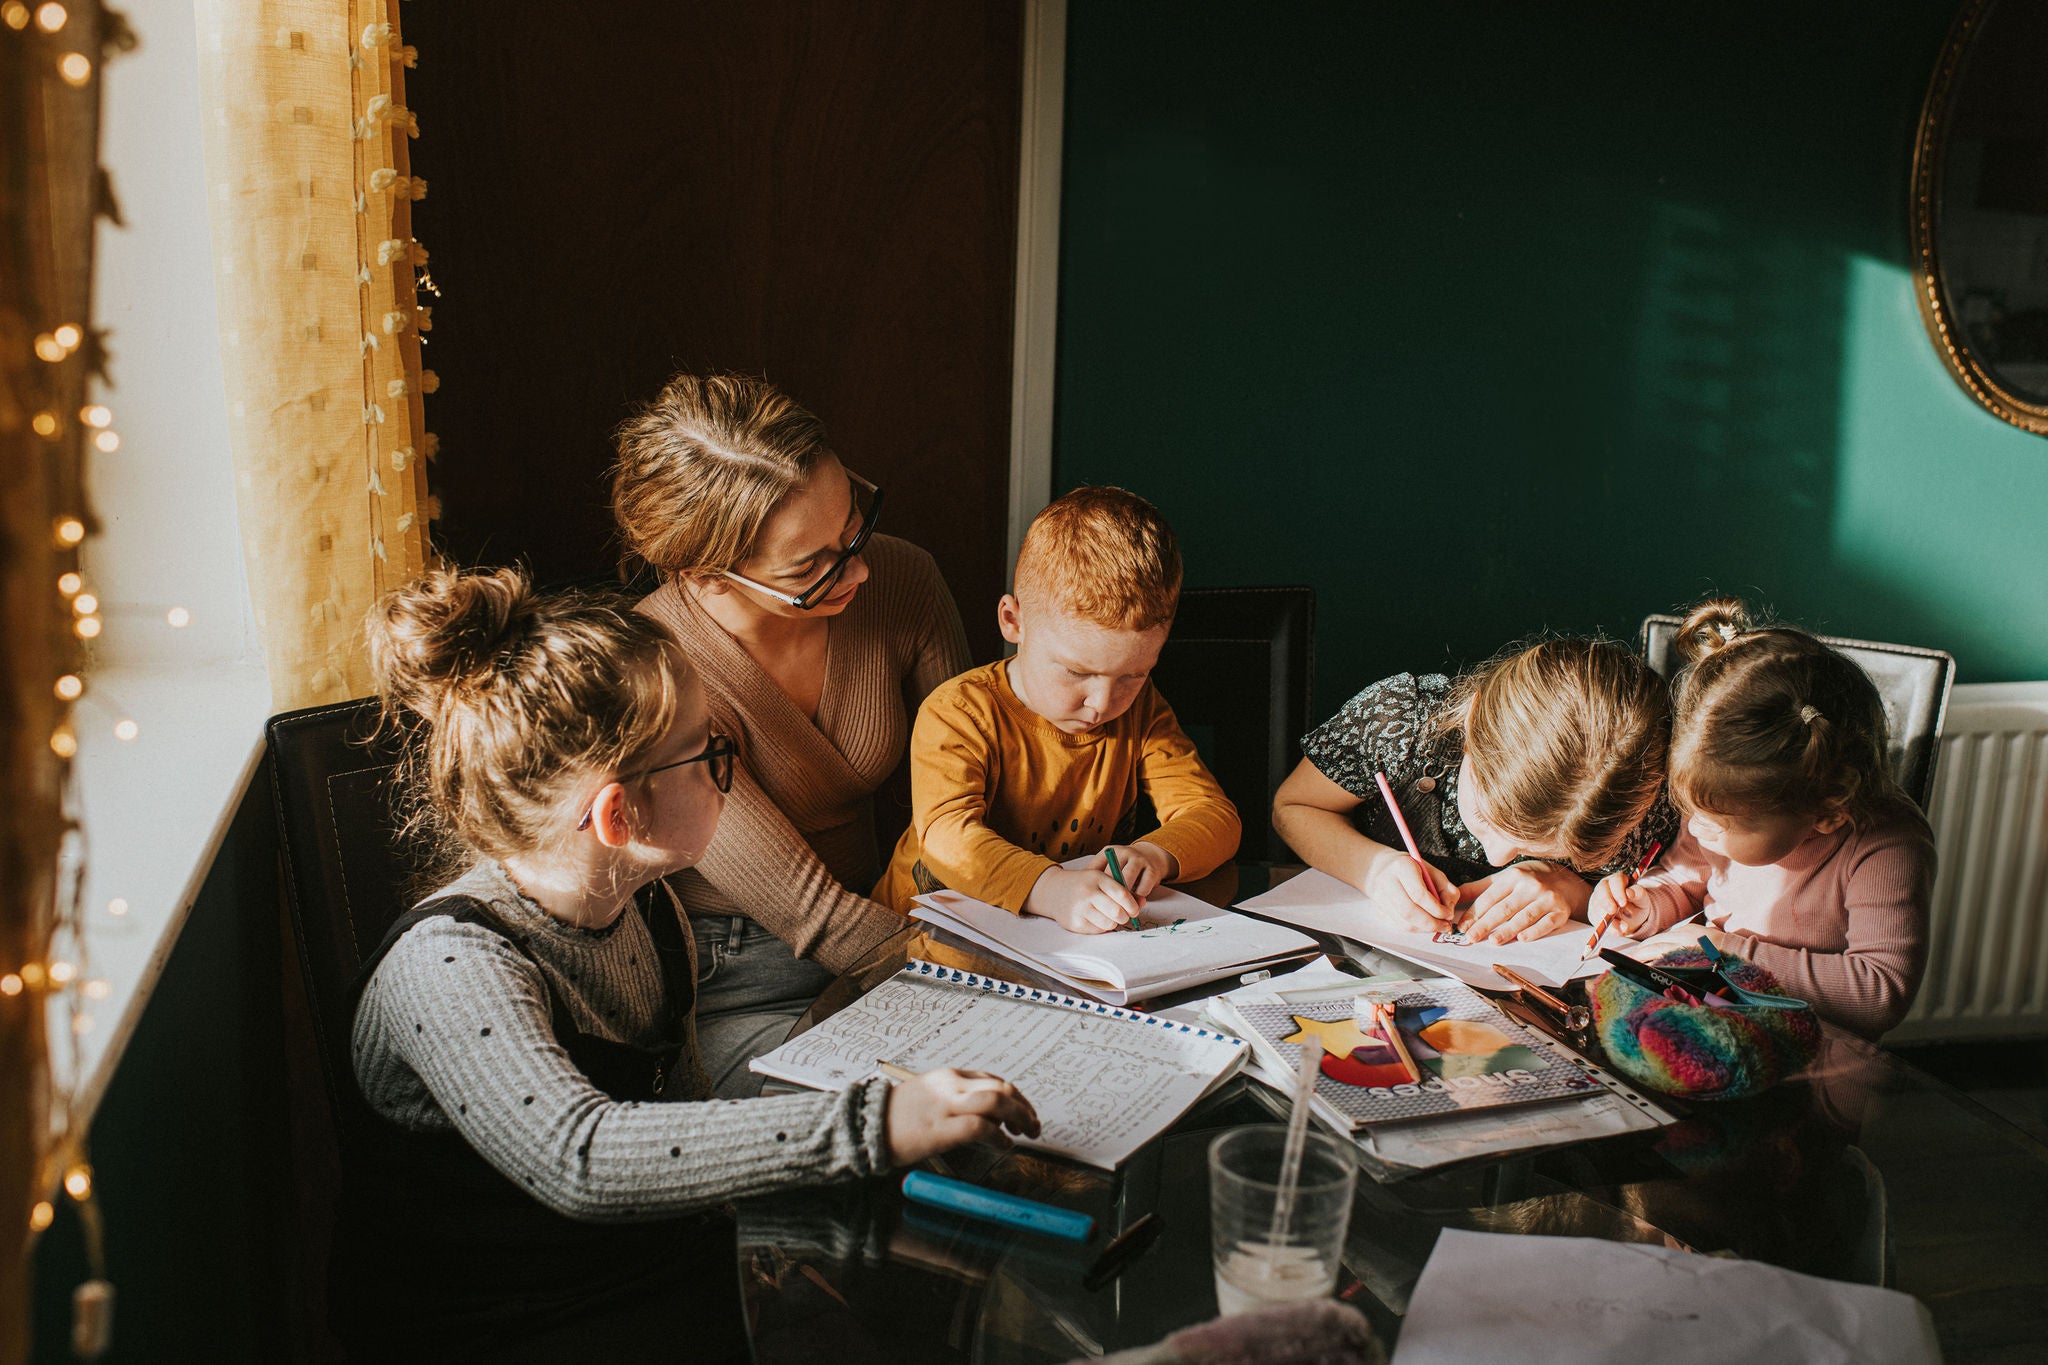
{"points": [[822, 193]]}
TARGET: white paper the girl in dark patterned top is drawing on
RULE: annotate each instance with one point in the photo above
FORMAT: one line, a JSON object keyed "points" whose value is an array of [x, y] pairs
{"points": [[1326, 906]]}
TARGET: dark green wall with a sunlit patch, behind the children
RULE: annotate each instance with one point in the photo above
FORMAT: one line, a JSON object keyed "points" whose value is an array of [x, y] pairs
{"points": [[1494, 318]]}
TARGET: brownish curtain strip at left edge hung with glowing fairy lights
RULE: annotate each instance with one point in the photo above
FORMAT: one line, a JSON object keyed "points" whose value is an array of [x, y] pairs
{"points": [[52, 58]]}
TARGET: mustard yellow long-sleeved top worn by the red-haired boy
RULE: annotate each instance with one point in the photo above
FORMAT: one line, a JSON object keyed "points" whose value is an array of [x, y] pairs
{"points": [[1000, 793]]}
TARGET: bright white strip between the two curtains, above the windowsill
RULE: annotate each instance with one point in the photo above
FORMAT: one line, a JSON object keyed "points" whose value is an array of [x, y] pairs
{"points": [[167, 496]]}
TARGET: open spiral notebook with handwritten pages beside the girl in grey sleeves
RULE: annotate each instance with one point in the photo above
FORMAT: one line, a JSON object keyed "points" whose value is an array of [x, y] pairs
{"points": [[1105, 1080]]}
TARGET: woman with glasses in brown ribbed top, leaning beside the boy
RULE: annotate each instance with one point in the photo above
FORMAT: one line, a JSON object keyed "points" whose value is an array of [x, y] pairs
{"points": [[816, 640]]}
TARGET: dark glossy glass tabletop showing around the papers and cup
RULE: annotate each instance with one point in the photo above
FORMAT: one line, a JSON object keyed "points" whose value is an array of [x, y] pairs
{"points": [[1863, 1170]]}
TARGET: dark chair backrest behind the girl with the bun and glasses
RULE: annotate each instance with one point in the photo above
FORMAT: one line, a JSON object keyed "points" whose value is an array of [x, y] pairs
{"points": [[345, 867]]}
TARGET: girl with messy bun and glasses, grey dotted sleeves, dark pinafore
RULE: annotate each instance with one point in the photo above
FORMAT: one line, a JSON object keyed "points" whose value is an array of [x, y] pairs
{"points": [[536, 1180]]}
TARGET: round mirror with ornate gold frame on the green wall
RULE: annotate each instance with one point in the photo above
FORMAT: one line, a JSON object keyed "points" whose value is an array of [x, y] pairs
{"points": [[1981, 208]]}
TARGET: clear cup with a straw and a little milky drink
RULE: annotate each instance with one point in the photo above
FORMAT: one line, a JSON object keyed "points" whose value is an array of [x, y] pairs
{"points": [[1244, 1190]]}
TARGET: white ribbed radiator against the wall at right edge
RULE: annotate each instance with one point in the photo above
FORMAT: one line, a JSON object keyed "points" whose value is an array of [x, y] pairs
{"points": [[1988, 965]]}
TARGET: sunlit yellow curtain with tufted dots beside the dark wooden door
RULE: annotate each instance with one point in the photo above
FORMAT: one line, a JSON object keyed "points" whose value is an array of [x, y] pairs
{"points": [[310, 189]]}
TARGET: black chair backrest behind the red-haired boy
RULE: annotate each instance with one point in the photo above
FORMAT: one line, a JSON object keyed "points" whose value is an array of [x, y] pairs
{"points": [[1238, 672]]}
